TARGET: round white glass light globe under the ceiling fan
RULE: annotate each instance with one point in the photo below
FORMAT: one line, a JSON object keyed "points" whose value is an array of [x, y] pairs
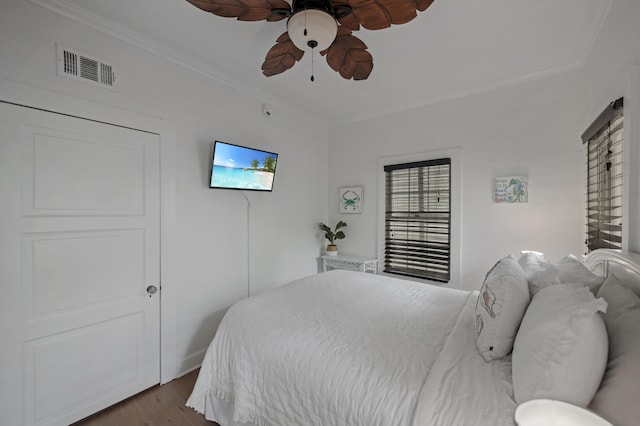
{"points": [[321, 28]]}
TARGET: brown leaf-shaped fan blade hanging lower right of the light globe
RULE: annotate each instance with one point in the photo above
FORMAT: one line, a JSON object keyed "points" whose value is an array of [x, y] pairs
{"points": [[348, 56]]}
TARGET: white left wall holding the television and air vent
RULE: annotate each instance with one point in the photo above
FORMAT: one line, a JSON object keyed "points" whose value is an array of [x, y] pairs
{"points": [[211, 226]]}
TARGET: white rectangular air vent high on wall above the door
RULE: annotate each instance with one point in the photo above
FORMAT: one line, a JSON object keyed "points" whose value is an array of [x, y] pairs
{"points": [[81, 67]]}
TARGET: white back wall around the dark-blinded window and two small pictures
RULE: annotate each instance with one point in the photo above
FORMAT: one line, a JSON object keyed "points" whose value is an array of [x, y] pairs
{"points": [[531, 129]]}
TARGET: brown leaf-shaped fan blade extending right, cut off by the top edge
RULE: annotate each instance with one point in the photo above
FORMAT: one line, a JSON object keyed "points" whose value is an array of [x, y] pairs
{"points": [[379, 14]]}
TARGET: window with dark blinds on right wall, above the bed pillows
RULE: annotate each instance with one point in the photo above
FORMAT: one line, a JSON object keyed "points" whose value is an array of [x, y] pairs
{"points": [[604, 179]]}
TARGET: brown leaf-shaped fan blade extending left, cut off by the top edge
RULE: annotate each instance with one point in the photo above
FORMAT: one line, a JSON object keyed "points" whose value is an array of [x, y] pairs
{"points": [[244, 10]]}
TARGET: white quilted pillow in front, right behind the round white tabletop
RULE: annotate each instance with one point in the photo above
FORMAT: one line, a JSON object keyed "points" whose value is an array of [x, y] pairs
{"points": [[560, 351]]}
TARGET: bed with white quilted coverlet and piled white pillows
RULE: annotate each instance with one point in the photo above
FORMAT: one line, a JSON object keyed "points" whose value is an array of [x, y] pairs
{"points": [[350, 348]]}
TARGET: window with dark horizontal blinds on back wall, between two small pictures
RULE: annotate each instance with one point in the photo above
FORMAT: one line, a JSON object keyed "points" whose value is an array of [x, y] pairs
{"points": [[418, 219]]}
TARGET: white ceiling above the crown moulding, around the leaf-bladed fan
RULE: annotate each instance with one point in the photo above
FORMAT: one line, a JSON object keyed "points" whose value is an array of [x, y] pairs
{"points": [[454, 48]]}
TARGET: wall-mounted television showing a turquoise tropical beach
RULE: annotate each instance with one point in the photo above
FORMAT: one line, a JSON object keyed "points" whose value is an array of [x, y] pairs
{"points": [[240, 167]]}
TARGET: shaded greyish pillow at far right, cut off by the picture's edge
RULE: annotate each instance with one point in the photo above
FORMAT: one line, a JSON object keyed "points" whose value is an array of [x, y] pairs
{"points": [[617, 398]]}
